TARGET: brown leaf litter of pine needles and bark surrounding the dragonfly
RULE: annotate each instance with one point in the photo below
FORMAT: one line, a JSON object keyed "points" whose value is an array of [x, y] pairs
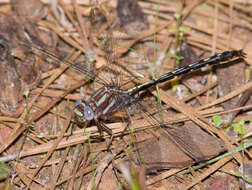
{"points": [[40, 138]]}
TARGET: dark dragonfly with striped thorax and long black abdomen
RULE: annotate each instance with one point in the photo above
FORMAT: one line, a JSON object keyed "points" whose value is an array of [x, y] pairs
{"points": [[111, 98]]}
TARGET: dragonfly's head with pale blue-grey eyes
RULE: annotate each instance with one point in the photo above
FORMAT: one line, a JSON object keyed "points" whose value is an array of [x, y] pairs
{"points": [[83, 111]]}
